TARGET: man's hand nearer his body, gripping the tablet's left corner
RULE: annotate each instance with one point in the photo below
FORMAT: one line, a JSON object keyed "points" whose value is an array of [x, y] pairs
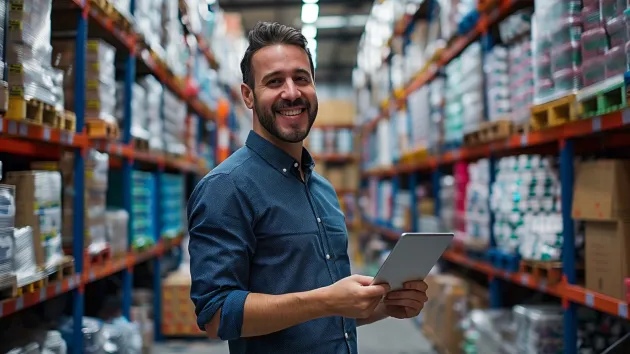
{"points": [[354, 296]]}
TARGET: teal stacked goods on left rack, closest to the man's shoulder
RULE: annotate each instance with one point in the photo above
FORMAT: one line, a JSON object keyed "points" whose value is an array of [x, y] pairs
{"points": [[172, 196]]}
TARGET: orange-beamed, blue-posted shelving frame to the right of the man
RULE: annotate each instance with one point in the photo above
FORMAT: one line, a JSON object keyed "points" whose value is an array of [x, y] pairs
{"points": [[566, 141]]}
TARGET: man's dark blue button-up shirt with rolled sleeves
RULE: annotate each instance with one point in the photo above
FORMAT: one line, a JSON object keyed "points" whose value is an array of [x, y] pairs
{"points": [[255, 226]]}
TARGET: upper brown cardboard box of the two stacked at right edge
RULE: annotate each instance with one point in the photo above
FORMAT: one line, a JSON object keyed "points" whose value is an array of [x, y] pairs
{"points": [[602, 190]]}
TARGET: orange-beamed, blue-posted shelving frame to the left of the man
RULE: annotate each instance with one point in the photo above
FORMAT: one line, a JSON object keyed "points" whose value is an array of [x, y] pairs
{"points": [[19, 138]]}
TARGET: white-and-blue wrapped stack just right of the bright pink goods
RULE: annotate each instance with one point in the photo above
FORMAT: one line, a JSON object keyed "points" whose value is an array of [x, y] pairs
{"points": [[477, 206]]}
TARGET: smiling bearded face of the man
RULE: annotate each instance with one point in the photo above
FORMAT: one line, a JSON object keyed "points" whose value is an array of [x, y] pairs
{"points": [[284, 98]]}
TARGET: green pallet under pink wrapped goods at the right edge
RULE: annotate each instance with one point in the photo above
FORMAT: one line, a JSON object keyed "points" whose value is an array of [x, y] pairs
{"points": [[602, 98]]}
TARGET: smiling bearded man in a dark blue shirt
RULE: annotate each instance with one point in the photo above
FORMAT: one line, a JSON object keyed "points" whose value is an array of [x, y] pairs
{"points": [[268, 241]]}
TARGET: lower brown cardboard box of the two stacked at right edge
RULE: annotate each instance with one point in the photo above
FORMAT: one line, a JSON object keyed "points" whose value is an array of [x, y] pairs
{"points": [[607, 257]]}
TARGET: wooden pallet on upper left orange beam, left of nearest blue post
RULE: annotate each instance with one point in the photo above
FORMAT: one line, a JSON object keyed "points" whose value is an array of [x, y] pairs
{"points": [[32, 111]]}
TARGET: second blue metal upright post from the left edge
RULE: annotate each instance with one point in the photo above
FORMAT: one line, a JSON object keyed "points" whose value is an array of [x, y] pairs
{"points": [[130, 77]]}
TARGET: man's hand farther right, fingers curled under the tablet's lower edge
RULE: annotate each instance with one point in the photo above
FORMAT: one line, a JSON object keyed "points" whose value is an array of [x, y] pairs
{"points": [[407, 302]]}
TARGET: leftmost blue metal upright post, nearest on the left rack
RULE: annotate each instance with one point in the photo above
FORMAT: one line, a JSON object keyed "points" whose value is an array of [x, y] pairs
{"points": [[79, 175]]}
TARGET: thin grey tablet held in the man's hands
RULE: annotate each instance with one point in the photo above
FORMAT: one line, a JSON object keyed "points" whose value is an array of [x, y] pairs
{"points": [[412, 258]]}
